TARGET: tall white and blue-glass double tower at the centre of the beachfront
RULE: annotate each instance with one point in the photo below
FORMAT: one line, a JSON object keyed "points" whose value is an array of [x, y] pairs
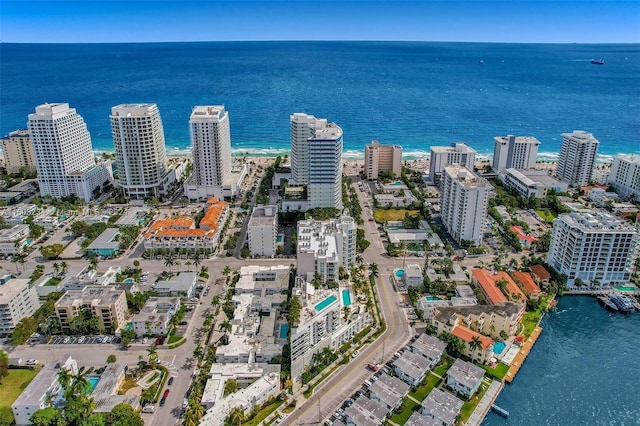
{"points": [[316, 159]]}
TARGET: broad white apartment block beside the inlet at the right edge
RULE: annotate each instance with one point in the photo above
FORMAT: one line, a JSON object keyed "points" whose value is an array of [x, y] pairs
{"points": [[593, 247]]}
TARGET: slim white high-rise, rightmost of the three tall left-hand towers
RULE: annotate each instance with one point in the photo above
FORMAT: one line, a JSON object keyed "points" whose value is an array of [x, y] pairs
{"points": [[211, 143]]}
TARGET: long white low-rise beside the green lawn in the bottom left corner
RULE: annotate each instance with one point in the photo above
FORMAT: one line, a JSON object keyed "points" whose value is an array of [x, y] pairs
{"points": [[43, 391]]}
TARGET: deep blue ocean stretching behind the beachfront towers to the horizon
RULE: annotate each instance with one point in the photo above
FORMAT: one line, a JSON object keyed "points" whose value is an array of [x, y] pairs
{"points": [[413, 94]]}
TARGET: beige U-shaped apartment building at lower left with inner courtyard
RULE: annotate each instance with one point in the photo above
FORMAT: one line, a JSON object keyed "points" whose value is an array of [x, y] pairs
{"points": [[105, 303]]}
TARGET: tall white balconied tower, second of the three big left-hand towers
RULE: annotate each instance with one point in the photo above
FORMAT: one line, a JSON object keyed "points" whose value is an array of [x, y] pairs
{"points": [[138, 138]]}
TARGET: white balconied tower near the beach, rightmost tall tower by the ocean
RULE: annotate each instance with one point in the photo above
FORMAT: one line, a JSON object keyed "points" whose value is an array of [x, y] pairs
{"points": [[577, 156]]}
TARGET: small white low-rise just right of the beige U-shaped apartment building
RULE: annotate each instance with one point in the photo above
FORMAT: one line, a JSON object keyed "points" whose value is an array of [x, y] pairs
{"points": [[155, 316]]}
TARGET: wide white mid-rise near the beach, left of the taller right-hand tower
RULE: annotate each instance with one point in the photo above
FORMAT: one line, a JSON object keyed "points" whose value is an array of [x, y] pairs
{"points": [[514, 152]]}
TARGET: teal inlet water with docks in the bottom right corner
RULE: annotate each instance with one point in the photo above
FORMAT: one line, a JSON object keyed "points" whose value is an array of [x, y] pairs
{"points": [[583, 370]]}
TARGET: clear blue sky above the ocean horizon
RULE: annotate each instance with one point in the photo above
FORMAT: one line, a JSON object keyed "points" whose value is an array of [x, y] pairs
{"points": [[546, 21]]}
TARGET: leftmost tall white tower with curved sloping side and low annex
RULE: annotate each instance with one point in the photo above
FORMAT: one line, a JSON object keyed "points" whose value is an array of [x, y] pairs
{"points": [[63, 153]]}
